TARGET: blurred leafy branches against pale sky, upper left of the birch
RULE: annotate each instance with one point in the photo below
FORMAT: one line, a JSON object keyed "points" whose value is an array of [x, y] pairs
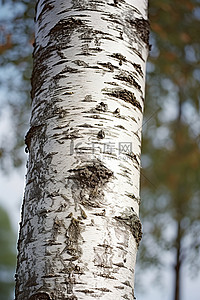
{"points": [[16, 38]]}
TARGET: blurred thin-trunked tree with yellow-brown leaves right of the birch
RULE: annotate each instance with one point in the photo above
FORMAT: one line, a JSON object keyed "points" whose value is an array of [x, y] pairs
{"points": [[171, 149]]}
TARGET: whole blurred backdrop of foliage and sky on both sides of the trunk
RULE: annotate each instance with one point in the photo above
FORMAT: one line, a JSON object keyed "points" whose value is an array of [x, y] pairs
{"points": [[169, 254]]}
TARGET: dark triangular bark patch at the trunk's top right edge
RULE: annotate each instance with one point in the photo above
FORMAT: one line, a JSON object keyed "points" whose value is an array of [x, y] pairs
{"points": [[143, 28]]}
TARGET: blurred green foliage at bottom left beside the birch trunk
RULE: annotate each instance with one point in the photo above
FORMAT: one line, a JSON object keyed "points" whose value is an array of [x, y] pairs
{"points": [[7, 256]]}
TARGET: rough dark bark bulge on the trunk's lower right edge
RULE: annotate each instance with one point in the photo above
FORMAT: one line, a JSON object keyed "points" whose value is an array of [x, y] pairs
{"points": [[129, 218]]}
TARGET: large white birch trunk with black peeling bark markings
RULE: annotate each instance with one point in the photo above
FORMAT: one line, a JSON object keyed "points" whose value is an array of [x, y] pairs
{"points": [[80, 227]]}
